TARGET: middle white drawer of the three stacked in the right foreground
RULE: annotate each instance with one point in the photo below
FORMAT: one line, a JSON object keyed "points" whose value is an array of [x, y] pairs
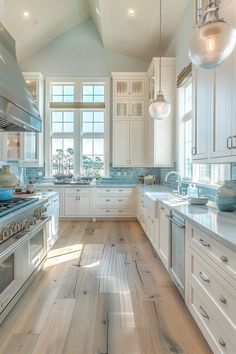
{"points": [[219, 291]]}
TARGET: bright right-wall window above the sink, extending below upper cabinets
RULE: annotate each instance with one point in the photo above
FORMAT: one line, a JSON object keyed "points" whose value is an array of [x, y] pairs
{"points": [[211, 174]]}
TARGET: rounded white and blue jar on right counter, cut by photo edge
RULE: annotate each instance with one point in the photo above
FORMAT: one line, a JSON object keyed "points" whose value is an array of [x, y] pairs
{"points": [[226, 196]]}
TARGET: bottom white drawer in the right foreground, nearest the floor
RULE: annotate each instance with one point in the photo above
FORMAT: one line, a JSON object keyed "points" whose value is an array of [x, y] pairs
{"points": [[219, 337]]}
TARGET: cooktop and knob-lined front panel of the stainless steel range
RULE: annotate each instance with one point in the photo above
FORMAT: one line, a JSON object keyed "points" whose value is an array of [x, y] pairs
{"points": [[20, 215]]}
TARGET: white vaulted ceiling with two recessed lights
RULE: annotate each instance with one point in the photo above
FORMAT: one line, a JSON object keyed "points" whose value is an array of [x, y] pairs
{"points": [[135, 36]]}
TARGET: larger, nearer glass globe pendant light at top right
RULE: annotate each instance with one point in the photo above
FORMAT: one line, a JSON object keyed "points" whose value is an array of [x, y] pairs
{"points": [[213, 41]]}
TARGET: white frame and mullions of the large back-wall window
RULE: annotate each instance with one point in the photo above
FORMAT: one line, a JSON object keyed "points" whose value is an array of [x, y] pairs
{"points": [[77, 82]]}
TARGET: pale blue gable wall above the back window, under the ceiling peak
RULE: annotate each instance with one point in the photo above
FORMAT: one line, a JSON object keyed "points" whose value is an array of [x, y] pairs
{"points": [[79, 52]]}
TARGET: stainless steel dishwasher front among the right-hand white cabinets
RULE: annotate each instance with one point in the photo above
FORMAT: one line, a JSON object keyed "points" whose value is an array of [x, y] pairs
{"points": [[177, 261]]}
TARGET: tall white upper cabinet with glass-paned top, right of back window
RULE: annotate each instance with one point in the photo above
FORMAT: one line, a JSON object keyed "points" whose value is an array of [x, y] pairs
{"points": [[129, 119]]}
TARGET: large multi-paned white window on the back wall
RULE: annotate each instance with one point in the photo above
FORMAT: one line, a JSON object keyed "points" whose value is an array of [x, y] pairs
{"points": [[77, 136]]}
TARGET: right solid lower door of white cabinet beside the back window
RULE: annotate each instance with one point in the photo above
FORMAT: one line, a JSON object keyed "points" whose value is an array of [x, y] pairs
{"points": [[137, 146]]}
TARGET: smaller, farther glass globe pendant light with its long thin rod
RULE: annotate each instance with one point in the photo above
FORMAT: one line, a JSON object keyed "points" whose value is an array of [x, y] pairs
{"points": [[159, 108]]}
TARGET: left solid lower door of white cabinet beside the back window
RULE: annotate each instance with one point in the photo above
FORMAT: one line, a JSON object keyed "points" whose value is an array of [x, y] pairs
{"points": [[121, 155]]}
